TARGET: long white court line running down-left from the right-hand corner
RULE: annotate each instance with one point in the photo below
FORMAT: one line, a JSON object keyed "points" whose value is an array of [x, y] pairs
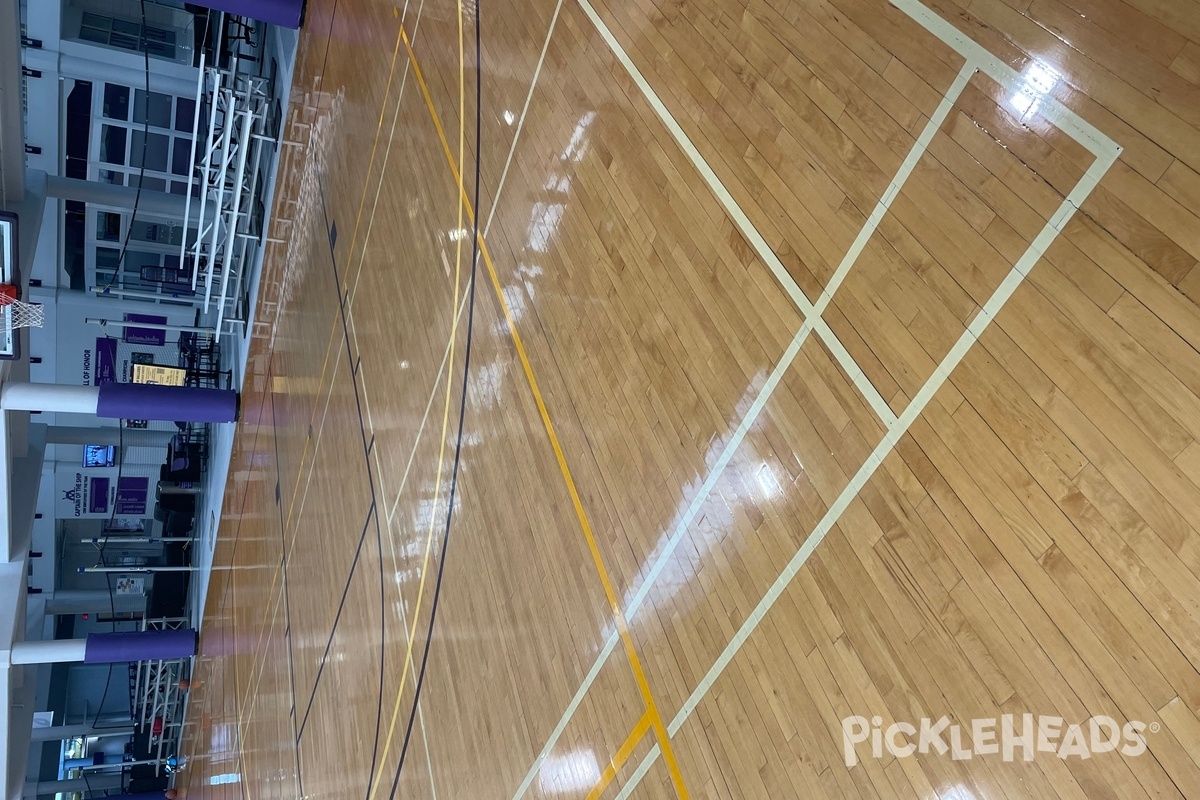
{"points": [[962, 347]]}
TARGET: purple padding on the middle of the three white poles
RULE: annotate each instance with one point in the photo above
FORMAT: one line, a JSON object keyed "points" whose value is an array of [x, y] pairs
{"points": [[169, 404]]}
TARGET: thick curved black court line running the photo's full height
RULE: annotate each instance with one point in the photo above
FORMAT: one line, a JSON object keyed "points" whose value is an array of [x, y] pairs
{"points": [[463, 411]]}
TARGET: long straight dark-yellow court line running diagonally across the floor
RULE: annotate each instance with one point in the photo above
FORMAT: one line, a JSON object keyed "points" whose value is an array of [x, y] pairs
{"points": [[598, 561]]}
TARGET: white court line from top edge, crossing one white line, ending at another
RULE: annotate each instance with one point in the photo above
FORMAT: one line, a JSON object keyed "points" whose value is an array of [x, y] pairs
{"points": [[742, 221]]}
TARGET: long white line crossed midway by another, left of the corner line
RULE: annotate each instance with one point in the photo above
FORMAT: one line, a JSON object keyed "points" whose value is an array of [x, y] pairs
{"points": [[759, 404]]}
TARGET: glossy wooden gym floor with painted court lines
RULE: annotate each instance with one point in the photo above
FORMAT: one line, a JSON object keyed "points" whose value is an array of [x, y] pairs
{"points": [[829, 359]]}
